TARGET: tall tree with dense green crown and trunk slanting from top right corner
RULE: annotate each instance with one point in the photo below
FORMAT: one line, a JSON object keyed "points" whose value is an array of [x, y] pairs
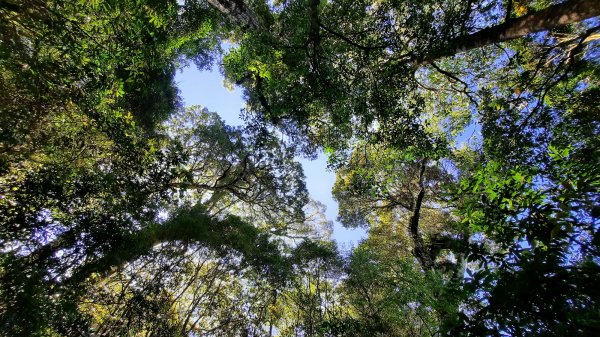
{"points": [[337, 52]]}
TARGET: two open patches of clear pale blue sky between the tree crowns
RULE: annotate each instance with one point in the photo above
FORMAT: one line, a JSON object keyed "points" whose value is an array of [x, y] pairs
{"points": [[206, 88]]}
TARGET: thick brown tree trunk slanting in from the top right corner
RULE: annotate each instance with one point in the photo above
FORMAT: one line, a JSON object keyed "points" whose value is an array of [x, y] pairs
{"points": [[553, 16]]}
